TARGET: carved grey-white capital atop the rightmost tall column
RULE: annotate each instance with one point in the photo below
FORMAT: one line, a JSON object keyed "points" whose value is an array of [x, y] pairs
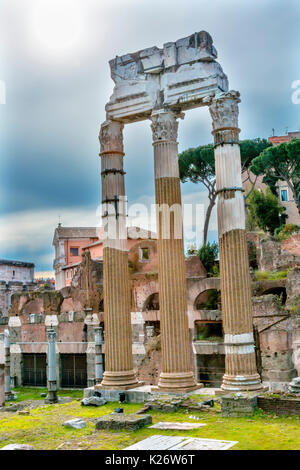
{"points": [[224, 110]]}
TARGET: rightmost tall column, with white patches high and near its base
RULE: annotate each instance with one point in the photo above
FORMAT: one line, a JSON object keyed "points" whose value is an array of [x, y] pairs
{"points": [[240, 362]]}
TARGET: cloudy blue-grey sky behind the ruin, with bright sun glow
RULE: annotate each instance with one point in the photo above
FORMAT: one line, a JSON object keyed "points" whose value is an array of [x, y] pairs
{"points": [[54, 64]]}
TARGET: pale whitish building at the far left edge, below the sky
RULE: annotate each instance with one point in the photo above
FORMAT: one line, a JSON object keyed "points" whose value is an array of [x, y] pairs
{"points": [[14, 276]]}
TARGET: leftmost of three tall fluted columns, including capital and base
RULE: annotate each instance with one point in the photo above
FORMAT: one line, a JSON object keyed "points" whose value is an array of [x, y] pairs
{"points": [[119, 372]]}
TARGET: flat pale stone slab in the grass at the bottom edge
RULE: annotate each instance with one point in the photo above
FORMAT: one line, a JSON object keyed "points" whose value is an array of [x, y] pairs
{"points": [[159, 442]]}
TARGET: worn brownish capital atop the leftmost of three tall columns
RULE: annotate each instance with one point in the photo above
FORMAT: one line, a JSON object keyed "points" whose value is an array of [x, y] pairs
{"points": [[111, 137]]}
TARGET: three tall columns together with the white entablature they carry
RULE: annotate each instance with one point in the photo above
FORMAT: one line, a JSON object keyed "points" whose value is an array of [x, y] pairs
{"points": [[159, 84]]}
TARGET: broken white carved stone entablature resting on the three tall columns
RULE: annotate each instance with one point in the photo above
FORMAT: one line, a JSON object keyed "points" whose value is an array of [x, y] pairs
{"points": [[180, 76]]}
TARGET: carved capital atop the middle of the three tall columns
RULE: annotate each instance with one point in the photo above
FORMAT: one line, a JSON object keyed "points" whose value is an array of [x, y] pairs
{"points": [[164, 125]]}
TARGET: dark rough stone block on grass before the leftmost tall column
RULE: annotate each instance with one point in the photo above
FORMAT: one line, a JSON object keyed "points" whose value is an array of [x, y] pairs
{"points": [[122, 421]]}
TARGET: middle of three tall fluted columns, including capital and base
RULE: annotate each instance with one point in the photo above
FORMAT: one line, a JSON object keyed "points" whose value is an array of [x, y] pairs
{"points": [[177, 374]]}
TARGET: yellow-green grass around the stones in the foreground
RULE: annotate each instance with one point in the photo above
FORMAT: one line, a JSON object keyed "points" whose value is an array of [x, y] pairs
{"points": [[43, 427]]}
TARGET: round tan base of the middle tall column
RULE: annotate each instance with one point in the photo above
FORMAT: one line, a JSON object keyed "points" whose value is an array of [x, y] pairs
{"points": [[177, 382]]}
